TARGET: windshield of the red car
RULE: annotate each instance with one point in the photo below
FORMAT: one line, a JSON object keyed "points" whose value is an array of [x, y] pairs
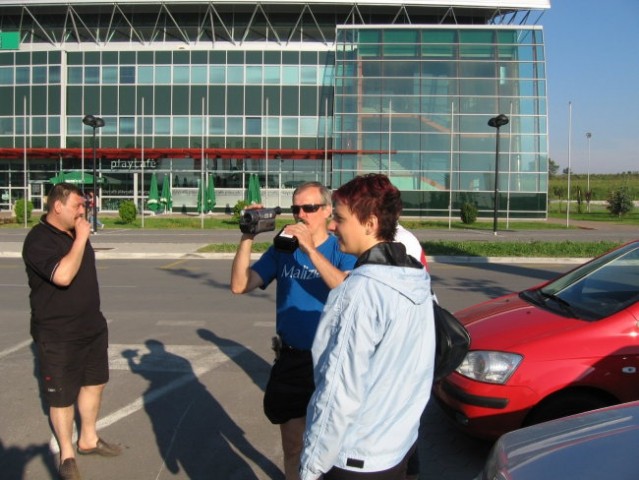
{"points": [[597, 289]]}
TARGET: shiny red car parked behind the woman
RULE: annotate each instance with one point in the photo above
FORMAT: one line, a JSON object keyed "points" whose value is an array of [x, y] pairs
{"points": [[560, 348]]}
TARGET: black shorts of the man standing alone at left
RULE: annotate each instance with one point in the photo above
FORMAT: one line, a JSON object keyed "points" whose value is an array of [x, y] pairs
{"points": [[65, 367]]}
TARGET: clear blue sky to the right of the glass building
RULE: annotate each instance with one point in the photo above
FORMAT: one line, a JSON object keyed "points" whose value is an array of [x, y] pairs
{"points": [[592, 60]]}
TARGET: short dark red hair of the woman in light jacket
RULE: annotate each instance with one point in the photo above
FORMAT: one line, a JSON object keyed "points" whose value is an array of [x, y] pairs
{"points": [[373, 194]]}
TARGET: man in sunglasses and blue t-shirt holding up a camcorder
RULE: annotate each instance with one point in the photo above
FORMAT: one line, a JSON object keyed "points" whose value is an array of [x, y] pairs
{"points": [[304, 278]]}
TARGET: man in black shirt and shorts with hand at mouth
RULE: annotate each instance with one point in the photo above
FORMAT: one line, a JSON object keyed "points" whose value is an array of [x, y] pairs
{"points": [[68, 328]]}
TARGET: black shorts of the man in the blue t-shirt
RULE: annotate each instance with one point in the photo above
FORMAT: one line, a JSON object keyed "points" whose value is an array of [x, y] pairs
{"points": [[290, 386]]}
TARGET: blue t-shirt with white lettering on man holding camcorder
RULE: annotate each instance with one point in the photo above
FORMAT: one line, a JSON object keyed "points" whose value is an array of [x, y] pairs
{"points": [[301, 292]]}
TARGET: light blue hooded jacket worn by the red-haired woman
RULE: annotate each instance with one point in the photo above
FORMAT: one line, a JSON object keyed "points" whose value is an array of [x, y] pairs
{"points": [[373, 355]]}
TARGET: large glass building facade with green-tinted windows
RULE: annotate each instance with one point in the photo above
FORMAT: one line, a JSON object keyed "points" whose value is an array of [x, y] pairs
{"points": [[328, 103]]}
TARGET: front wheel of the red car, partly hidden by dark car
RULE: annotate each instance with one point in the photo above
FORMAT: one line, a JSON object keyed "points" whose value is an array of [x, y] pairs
{"points": [[564, 404]]}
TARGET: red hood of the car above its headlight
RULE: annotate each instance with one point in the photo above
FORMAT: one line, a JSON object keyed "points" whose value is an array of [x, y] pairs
{"points": [[505, 322]]}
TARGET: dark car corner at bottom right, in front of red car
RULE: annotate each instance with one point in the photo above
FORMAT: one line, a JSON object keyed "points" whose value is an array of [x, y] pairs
{"points": [[597, 445]]}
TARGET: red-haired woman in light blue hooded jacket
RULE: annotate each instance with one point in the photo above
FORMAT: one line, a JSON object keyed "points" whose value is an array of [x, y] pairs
{"points": [[374, 350]]}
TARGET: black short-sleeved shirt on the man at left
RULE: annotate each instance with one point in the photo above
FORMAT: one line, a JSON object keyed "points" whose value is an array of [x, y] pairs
{"points": [[60, 314]]}
